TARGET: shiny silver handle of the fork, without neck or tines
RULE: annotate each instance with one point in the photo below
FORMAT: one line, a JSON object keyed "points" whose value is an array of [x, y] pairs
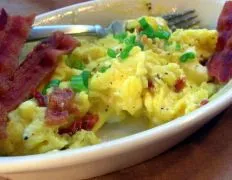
{"points": [[40, 32]]}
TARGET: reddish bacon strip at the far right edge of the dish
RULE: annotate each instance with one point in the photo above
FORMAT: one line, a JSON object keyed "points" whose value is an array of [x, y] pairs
{"points": [[220, 65]]}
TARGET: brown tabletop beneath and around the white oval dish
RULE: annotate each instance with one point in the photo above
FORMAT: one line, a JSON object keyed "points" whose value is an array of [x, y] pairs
{"points": [[207, 154]]}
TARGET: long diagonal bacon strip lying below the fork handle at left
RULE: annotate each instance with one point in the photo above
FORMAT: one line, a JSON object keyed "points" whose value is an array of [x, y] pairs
{"points": [[38, 65]]}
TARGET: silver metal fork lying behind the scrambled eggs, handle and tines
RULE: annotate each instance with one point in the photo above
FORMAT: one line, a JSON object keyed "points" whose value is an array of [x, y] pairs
{"points": [[183, 20]]}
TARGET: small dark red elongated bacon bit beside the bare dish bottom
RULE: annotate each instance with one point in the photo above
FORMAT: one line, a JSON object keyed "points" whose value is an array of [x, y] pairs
{"points": [[87, 123]]}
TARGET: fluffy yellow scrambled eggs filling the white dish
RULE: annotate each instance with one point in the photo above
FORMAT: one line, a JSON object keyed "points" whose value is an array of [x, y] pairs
{"points": [[140, 85]]}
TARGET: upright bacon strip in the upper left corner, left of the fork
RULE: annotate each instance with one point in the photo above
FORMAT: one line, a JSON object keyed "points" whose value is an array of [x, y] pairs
{"points": [[13, 34]]}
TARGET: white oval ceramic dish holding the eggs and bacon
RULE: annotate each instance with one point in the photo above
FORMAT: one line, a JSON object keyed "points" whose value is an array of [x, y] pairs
{"points": [[120, 153]]}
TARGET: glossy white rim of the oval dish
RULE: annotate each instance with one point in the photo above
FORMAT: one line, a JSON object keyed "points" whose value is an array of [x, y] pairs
{"points": [[91, 153]]}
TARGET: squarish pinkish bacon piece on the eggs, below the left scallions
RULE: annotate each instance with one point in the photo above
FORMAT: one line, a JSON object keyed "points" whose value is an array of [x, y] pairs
{"points": [[59, 102]]}
